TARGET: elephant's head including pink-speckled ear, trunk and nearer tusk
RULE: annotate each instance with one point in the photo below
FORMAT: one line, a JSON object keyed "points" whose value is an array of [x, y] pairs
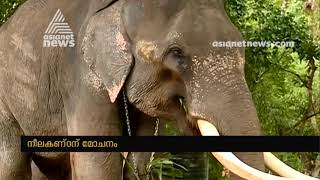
{"points": [[160, 52]]}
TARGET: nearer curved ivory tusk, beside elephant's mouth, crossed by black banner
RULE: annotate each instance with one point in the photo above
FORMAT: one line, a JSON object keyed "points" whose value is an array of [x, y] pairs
{"points": [[231, 162]]}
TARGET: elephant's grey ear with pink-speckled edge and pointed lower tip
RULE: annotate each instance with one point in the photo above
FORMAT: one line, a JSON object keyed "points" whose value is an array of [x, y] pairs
{"points": [[106, 49]]}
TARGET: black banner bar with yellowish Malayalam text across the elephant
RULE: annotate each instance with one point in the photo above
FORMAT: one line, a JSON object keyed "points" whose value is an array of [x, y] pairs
{"points": [[170, 144]]}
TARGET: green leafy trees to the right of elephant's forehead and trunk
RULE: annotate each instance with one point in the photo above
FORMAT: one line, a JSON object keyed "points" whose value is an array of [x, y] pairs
{"points": [[278, 77]]}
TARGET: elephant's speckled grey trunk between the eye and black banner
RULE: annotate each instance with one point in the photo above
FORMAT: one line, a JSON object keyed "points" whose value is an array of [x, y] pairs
{"points": [[218, 93]]}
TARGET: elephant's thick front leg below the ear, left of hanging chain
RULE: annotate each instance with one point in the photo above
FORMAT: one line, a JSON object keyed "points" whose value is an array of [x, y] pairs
{"points": [[92, 115]]}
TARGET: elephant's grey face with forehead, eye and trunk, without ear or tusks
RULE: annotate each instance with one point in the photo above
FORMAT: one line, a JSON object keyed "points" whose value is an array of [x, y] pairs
{"points": [[172, 44]]}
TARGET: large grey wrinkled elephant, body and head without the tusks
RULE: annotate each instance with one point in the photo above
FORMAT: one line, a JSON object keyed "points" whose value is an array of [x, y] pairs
{"points": [[156, 50]]}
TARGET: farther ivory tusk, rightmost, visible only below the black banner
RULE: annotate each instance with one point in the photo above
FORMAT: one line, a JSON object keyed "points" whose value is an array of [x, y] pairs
{"points": [[276, 165]]}
